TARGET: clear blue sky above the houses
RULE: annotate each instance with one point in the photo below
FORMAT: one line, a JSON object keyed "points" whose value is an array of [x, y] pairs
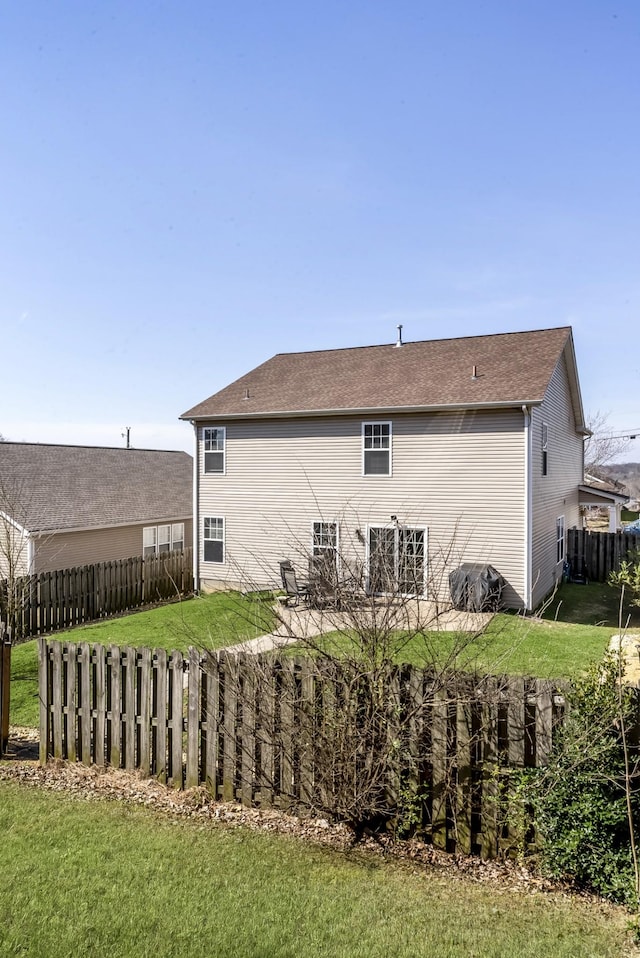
{"points": [[188, 188]]}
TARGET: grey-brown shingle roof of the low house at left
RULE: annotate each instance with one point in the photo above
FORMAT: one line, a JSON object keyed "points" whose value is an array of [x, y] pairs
{"points": [[46, 488]]}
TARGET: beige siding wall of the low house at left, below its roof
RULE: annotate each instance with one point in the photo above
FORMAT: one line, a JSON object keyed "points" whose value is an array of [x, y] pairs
{"points": [[65, 550]]}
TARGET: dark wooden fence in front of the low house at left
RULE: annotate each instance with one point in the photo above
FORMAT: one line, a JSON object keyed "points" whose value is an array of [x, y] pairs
{"points": [[50, 601]]}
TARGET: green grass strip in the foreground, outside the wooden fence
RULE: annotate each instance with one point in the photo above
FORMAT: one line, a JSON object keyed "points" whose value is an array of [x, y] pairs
{"points": [[106, 879]]}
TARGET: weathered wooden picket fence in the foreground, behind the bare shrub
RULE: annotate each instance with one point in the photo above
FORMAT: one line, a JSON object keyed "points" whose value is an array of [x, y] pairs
{"points": [[292, 733]]}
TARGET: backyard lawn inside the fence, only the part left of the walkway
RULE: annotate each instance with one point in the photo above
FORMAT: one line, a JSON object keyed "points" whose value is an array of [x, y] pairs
{"points": [[211, 621]]}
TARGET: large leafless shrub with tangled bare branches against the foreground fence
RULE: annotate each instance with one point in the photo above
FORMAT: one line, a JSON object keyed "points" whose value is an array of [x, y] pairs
{"points": [[377, 662]]}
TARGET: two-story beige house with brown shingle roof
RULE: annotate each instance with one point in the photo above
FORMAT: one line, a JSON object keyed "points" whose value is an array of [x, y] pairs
{"points": [[426, 453]]}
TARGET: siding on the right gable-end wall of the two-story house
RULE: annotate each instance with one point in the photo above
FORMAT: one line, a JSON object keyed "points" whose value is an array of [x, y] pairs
{"points": [[555, 494]]}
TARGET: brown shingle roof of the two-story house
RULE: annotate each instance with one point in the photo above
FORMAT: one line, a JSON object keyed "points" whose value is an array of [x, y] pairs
{"points": [[510, 368]]}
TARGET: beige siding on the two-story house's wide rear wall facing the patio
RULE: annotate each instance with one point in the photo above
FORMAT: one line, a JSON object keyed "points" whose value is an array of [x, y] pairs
{"points": [[460, 475]]}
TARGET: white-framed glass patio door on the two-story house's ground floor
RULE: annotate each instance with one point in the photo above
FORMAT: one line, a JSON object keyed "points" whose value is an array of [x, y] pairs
{"points": [[397, 559]]}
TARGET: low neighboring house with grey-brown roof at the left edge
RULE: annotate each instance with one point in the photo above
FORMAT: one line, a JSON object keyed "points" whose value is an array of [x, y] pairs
{"points": [[65, 506]]}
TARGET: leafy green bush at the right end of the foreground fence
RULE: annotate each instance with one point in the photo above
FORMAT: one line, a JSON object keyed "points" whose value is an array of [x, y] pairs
{"points": [[579, 799]]}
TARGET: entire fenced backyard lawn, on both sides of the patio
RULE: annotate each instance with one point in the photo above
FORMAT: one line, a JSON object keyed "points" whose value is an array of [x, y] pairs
{"points": [[571, 633]]}
